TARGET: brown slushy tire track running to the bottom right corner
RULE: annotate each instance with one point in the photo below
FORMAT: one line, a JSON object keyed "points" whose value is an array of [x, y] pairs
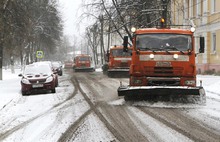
{"points": [[183, 124]]}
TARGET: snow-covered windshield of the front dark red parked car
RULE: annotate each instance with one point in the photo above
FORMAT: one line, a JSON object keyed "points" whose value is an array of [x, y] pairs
{"points": [[37, 69]]}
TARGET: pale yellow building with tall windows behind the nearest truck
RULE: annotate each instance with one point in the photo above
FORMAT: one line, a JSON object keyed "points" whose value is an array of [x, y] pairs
{"points": [[205, 14]]}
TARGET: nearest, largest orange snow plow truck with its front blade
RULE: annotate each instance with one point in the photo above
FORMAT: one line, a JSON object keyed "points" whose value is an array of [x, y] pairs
{"points": [[163, 63]]}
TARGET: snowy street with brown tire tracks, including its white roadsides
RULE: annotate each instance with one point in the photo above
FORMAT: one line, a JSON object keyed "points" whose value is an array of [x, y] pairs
{"points": [[86, 108]]}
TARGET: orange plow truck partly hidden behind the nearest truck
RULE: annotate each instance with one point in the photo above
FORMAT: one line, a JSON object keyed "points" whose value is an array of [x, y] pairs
{"points": [[118, 62]]}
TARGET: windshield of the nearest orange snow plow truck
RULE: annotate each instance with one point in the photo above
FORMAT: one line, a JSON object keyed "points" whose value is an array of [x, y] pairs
{"points": [[161, 42]]}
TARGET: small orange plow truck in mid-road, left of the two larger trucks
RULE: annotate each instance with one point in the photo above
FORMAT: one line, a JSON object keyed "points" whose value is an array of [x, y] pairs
{"points": [[83, 62]]}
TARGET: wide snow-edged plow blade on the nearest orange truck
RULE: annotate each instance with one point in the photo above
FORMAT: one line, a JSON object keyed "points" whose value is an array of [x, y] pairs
{"points": [[159, 90]]}
